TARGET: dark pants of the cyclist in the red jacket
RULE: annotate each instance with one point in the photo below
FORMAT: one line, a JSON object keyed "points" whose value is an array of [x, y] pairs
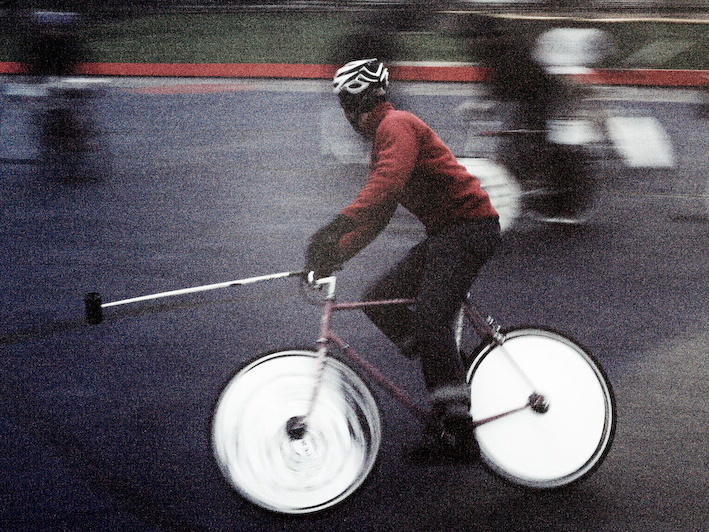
{"points": [[437, 273]]}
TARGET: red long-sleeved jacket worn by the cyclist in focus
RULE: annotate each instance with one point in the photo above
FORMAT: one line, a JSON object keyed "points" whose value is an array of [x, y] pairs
{"points": [[412, 167]]}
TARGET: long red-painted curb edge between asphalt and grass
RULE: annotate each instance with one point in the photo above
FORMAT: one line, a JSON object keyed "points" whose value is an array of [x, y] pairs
{"points": [[410, 72]]}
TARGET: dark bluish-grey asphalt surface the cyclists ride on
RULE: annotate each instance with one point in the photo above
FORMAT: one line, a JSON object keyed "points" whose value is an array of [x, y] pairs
{"points": [[106, 427]]}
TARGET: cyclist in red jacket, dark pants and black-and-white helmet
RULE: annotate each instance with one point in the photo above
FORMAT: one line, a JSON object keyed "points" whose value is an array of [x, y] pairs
{"points": [[412, 167]]}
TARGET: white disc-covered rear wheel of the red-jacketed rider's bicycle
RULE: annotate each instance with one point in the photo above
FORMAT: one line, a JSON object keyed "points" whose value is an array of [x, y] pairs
{"points": [[541, 448]]}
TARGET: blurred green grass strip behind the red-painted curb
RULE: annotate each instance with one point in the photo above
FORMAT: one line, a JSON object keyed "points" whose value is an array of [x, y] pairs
{"points": [[310, 37]]}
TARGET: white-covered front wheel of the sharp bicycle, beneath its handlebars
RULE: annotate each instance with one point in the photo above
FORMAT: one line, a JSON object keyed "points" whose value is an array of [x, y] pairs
{"points": [[262, 457]]}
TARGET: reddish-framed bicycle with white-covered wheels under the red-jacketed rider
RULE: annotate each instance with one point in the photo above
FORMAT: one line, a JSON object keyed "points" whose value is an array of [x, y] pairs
{"points": [[297, 431]]}
